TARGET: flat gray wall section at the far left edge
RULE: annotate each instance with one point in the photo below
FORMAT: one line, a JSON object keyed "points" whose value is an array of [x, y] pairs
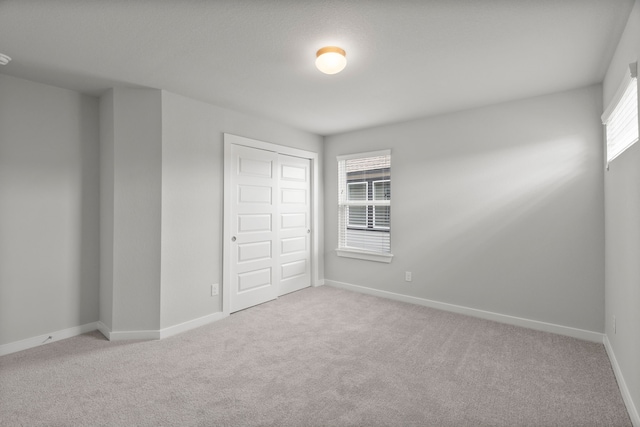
{"points": [[49, 216]]}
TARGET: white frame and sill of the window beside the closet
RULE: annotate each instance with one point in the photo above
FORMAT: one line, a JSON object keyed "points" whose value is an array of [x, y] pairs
{"points": [[343, 203]]}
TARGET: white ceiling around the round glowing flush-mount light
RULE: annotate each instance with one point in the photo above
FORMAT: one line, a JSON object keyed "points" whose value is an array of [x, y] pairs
{"points": [[406, 59]]}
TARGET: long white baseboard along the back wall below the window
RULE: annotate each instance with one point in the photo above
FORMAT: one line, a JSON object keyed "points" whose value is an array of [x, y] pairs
{"points": [[488, 315]]}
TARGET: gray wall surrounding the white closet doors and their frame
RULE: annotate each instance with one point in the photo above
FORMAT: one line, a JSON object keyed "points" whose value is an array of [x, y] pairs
{"points": [[192, 187]]}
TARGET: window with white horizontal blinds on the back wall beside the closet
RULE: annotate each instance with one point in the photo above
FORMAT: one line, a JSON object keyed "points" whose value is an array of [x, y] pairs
{"points": [[364, 206]]}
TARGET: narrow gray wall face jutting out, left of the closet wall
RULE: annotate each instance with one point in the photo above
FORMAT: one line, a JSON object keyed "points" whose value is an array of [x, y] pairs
{"points": [[137, 187]]}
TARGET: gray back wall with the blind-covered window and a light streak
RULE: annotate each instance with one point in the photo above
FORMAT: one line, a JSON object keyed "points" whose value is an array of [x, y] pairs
{"points": [[497, 209]]}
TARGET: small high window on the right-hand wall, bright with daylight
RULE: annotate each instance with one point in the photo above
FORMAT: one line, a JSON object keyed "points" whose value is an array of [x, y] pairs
{"points": [[621, 118]]}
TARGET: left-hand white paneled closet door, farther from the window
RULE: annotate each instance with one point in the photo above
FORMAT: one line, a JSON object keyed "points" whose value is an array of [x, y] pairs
{"points": [[254, 263]]}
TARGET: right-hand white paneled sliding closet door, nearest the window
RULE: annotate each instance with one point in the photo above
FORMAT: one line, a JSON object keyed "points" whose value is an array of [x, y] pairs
{"points": [[294, 211]]}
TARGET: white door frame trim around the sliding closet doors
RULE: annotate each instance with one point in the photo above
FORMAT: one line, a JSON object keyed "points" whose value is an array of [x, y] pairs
{"points": [[227, 233]]}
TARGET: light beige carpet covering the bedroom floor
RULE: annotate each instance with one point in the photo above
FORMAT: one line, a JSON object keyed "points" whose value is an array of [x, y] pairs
{"points": [[318, 357]]}
